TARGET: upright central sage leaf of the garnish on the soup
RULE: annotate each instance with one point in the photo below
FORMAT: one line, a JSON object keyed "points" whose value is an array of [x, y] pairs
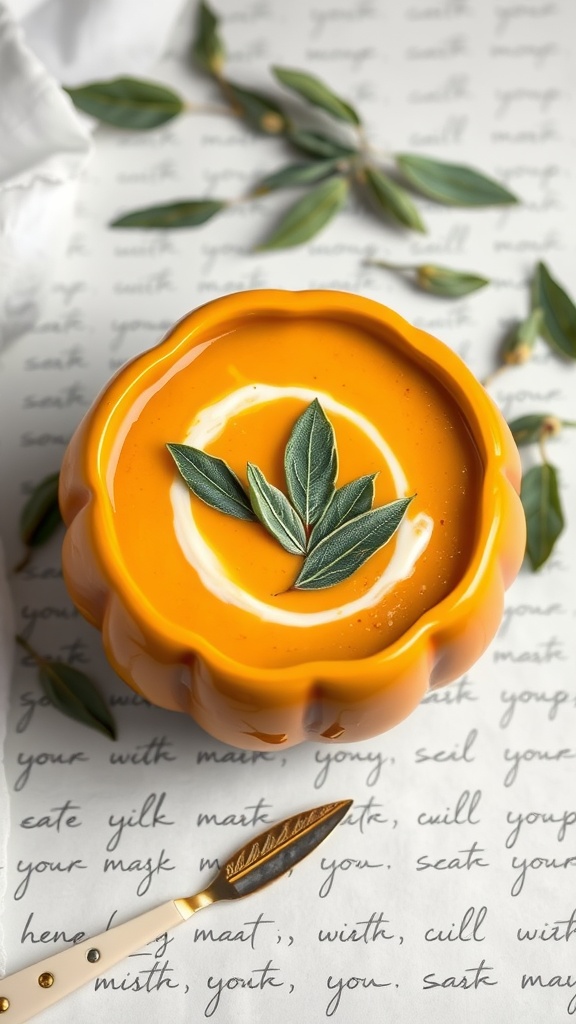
{"points": [[311, 463]]}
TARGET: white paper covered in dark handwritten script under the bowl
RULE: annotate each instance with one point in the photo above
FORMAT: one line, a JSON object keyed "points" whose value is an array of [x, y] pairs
{"points": [[449, 892]]}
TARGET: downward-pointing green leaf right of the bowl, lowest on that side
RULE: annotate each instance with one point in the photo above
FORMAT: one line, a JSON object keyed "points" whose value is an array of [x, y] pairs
{"points": [[545, 519]]}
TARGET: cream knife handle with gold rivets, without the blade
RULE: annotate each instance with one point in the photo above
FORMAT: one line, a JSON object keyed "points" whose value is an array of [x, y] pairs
{"points": [[29, 992]]}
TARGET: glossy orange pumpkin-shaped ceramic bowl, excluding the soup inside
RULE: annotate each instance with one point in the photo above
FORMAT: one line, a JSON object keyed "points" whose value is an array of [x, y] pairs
{"points": [[339, 701]]}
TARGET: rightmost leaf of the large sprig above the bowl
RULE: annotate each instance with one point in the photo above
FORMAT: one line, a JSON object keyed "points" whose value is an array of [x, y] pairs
{"points": [[454, 185]]}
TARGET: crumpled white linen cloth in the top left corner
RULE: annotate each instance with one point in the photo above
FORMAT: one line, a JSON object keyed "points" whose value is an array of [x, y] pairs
{"points": [[45, 144]]}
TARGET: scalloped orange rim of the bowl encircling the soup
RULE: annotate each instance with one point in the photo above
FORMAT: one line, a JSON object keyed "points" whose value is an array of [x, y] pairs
{"points": [[477, 408]]}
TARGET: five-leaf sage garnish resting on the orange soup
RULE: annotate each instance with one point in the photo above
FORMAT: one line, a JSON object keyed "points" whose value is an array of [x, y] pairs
{"points": [[336, 530]]}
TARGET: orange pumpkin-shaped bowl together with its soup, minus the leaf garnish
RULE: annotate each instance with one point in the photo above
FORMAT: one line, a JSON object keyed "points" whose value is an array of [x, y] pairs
{"points": [[197, 609]]}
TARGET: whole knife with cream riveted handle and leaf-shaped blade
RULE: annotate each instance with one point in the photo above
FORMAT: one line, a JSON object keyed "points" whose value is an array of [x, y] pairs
{"points": [[262, 861]]}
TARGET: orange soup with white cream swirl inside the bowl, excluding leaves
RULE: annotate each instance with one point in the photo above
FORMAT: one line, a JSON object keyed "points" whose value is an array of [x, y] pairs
{"points": [[237, 397]]}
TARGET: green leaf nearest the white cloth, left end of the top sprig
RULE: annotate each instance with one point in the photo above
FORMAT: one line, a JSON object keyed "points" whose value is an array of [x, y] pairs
{"points": [[129, 103]]}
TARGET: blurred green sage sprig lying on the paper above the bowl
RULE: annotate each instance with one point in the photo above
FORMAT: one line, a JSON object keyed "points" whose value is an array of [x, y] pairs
{"points": [[340, 158]]}
